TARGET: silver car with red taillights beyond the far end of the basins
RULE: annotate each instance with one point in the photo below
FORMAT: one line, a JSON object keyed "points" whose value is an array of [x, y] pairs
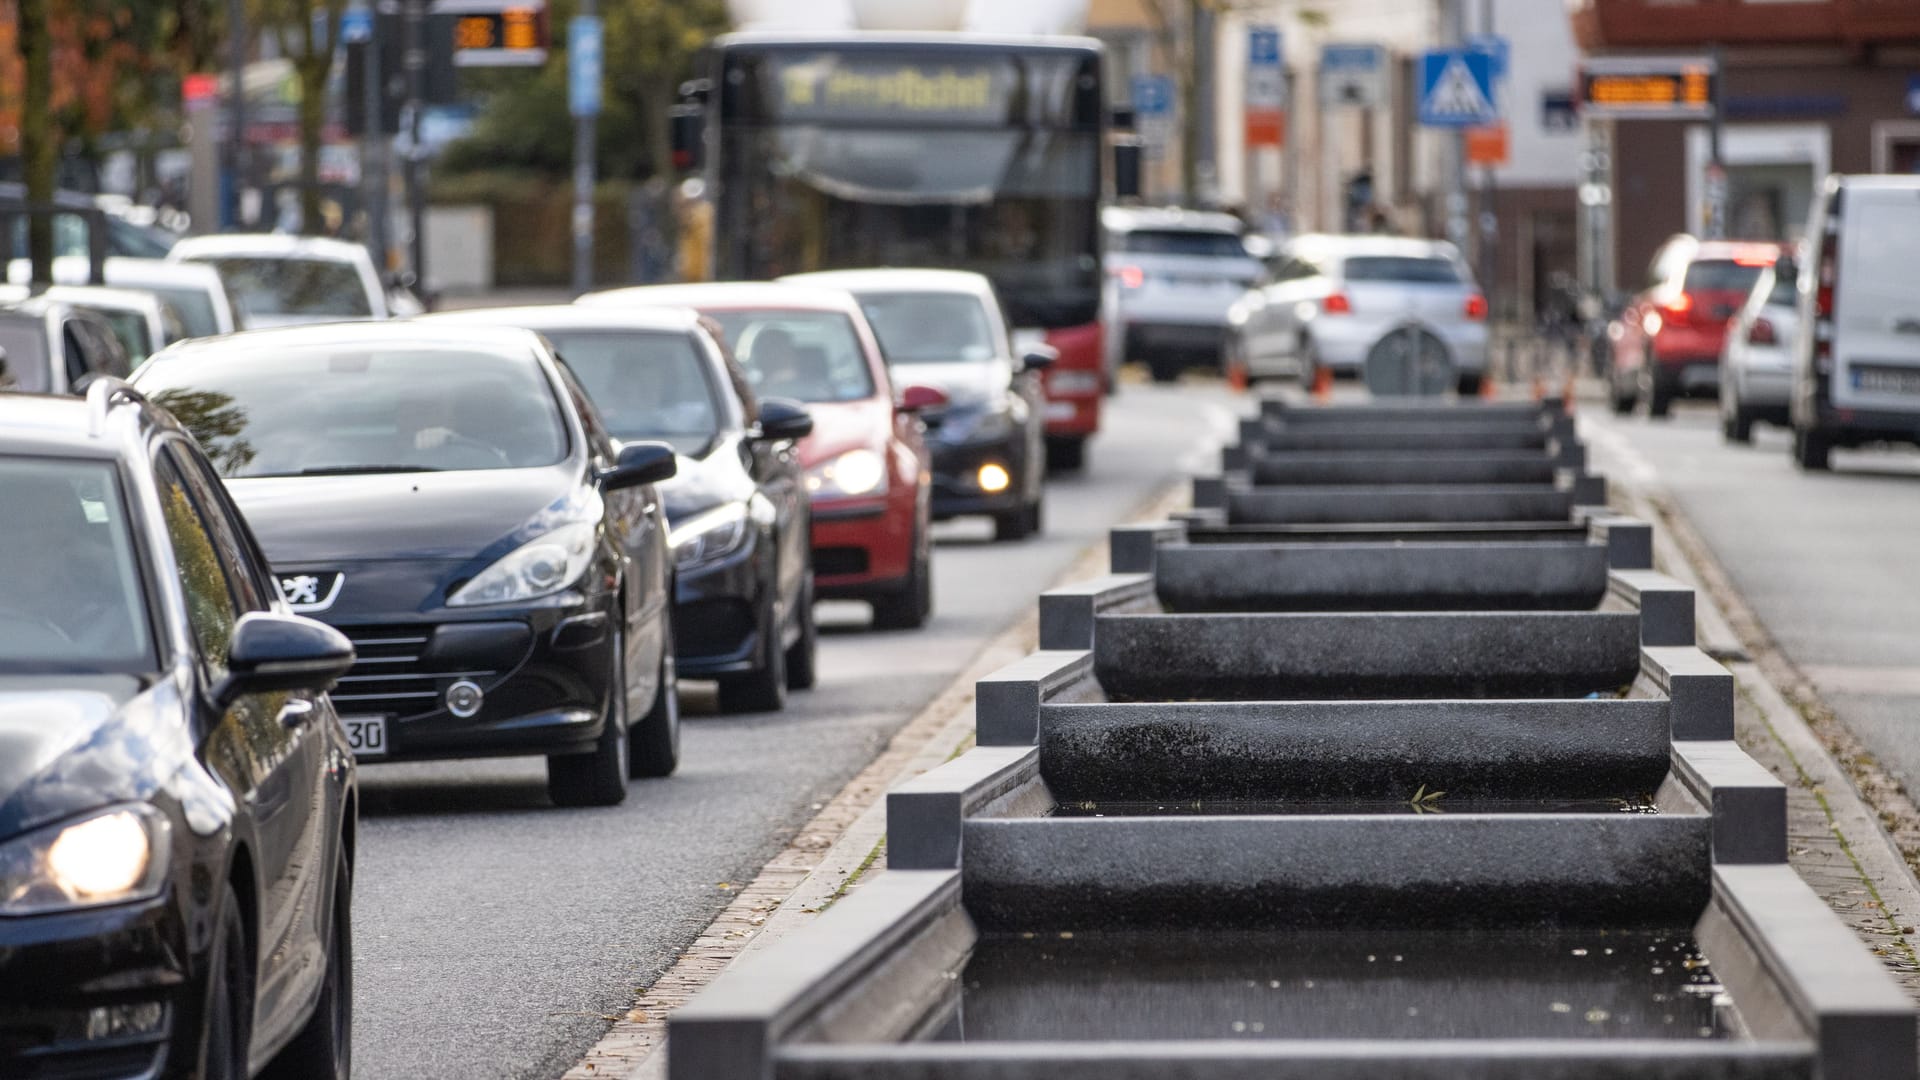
{"points": [[1339, 301]]}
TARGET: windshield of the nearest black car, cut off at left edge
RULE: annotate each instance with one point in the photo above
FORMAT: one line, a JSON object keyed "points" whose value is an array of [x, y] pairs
{"points": [[70, 589]]}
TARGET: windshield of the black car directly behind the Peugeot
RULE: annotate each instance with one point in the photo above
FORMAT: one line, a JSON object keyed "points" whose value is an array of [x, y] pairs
{"points": [[644, 383]]}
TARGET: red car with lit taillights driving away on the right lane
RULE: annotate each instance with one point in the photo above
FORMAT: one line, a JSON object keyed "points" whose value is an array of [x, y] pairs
{"points": [[1668, 341]]}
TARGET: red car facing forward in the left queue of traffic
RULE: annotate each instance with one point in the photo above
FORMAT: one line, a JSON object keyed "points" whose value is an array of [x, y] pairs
{"points": [[867, 462]]}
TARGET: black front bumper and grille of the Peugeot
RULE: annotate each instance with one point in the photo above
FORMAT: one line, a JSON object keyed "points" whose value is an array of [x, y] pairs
{"points": [[544, 675]]}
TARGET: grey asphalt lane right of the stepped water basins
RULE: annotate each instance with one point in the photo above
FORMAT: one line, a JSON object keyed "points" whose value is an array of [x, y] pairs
{"points": [[1831, 562]]}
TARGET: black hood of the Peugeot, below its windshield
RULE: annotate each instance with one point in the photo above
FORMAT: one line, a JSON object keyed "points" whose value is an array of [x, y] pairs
{"points": [[408, 516]]}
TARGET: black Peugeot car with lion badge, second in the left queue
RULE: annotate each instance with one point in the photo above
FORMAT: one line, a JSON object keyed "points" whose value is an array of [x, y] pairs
{"points": [[450, 501]]}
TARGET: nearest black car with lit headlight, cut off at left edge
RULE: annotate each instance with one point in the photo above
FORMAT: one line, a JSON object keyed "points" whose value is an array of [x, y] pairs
{"points": [[176, 789]]}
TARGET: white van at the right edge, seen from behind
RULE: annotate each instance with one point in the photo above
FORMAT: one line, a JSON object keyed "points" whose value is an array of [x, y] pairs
{"points": [[1858, 351]]}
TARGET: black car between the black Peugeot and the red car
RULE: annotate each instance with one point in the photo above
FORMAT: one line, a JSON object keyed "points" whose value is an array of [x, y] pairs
{"points": [[738, 508]]}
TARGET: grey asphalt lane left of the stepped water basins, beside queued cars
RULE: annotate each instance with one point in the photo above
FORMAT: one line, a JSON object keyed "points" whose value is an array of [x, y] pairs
{"points": [[494, 933]]}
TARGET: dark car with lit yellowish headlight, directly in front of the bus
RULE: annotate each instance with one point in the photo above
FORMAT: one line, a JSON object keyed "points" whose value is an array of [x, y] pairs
{"points": [[946, 330]]}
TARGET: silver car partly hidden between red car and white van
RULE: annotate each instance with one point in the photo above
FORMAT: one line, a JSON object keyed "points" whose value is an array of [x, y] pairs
{"points": [[1758, 358]]}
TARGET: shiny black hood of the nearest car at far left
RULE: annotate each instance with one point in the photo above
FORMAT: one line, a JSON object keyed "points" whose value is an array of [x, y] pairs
{"points": [[70, 745]]}
